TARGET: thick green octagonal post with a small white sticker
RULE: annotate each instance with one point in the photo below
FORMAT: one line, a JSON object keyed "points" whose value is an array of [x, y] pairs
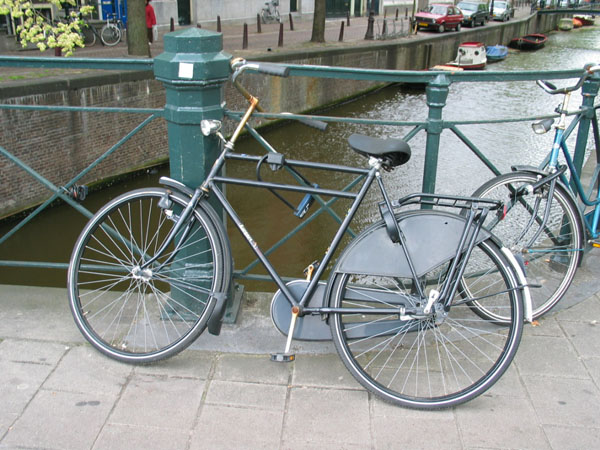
{"points": [[193, 70]]}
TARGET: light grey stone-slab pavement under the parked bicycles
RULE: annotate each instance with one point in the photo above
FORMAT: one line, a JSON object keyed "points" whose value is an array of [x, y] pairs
{"points": [[57, 392]]}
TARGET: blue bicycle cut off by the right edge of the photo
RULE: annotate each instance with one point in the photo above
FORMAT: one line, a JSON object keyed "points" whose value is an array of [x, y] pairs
{"points": [[543, 223]]}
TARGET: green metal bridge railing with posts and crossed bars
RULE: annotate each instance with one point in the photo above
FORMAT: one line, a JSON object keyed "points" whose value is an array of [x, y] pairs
{"points": [[203, 94]]}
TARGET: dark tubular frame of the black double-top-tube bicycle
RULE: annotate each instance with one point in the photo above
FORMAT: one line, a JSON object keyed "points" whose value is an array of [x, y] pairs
{"points": [[467, 240]]}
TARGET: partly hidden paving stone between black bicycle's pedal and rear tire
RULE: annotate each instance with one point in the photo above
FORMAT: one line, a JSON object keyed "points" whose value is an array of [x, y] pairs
{"points": [[324, 371]]}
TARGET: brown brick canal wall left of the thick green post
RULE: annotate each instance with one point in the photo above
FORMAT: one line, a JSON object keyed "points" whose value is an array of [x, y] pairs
{"points": [[59, 145]]}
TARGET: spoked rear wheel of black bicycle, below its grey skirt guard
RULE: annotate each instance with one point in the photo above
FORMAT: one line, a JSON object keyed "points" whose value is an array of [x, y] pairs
{"points": [[416, 362]]}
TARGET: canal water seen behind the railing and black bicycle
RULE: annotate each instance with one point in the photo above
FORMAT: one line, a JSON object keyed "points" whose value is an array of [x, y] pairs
{"points": [[51, 236]]}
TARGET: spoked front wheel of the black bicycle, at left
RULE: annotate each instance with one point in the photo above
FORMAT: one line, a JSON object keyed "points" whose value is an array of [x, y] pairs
{"points": [[142, 316]]}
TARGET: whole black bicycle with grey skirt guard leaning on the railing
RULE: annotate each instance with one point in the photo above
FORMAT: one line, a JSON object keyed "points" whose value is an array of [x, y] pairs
{"points": [[151, 271]]}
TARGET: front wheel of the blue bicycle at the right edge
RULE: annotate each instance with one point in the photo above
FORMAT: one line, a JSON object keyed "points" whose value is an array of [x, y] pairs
{"points": [[549, 261]]}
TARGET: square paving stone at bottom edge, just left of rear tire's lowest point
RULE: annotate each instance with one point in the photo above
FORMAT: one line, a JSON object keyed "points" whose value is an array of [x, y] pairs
{"points": [[329, 417]]}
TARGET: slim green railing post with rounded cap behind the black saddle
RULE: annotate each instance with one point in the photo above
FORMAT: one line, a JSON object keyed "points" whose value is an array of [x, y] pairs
{"points": [[437, 93]]}
